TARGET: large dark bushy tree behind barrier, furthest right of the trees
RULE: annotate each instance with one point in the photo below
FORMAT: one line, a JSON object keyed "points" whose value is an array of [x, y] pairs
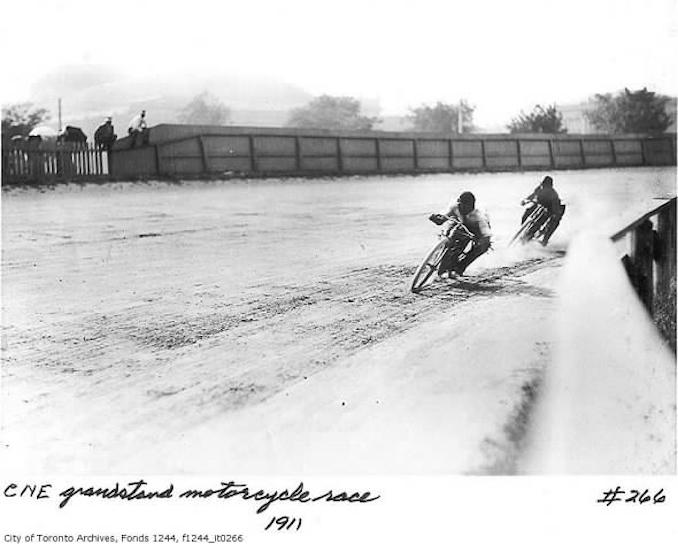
{"points": [[630, 112]]}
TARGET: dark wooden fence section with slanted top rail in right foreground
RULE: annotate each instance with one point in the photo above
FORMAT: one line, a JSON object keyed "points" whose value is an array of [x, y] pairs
{"points": [[651, 263]]}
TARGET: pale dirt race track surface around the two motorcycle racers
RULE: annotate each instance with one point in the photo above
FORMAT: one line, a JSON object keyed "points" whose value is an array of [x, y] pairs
{"points": [[139, 318]]}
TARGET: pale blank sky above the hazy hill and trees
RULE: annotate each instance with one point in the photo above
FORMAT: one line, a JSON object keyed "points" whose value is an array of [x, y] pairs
{"points": [[503, 56]]}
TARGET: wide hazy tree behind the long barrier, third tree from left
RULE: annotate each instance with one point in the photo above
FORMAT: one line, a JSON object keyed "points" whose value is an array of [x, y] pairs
{"points": [[331, 112]]}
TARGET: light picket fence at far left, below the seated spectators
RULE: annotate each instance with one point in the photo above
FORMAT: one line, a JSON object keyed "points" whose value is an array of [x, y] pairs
{"points": [[47, 162]]}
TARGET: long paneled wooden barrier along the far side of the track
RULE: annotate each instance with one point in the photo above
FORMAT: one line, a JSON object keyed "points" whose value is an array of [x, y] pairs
{"points": [[193, 151]]}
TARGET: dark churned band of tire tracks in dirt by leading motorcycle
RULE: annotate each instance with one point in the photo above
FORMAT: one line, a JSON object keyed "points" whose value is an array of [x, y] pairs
{"points": [[228, 352]]}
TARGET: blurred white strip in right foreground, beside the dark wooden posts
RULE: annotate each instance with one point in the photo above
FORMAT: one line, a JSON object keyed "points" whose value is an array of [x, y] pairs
{"points": [[607, 400]]}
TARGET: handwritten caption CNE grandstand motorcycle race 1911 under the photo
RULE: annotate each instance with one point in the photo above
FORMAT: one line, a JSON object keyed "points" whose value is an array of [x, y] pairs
{"points": [[139, 490]]}
